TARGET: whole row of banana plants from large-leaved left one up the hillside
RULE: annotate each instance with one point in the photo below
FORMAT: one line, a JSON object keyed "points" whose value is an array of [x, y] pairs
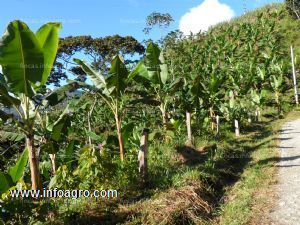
{"points": [[228, 74]]}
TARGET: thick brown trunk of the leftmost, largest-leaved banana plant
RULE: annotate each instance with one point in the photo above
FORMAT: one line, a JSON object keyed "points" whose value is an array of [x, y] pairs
{"points": [[34, 164]]}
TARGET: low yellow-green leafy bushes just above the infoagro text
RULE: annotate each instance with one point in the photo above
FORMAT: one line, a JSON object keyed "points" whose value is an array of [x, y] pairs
{"points": [[97, 170]]}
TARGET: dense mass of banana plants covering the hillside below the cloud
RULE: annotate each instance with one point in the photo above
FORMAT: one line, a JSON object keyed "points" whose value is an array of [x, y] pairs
{"points": [[224, 66]]}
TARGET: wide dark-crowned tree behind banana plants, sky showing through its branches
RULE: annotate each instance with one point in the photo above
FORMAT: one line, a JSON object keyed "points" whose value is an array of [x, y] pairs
{"points": [[98, 52]]}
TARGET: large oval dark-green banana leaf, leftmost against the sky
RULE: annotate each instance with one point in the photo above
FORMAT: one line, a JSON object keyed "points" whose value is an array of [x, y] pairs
{"points": [[20, 47]]}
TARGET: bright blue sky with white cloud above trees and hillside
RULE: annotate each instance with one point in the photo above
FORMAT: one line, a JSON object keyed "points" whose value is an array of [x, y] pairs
{"points": [[124, 17]]}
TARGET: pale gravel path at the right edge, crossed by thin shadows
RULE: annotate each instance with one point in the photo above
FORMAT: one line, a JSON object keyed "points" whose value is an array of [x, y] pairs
{"points": [[287, 209]]}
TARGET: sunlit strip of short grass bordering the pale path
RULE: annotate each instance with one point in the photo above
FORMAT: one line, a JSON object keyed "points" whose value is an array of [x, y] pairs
{"points": [[250, 197]]}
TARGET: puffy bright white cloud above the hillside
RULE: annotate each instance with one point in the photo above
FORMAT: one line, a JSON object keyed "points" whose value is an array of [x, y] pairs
{"points": [[201, 17]]}
